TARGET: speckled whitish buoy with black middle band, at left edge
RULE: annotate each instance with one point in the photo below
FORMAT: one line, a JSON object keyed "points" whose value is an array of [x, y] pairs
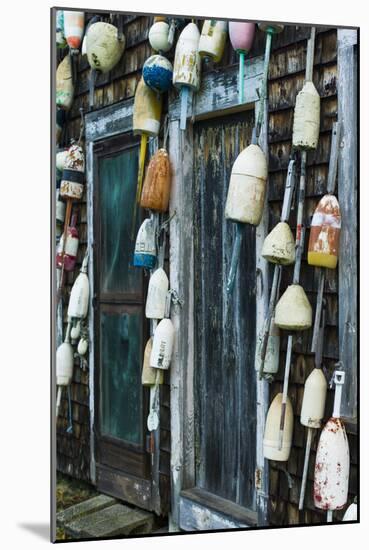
{"points": [[72, 183]]}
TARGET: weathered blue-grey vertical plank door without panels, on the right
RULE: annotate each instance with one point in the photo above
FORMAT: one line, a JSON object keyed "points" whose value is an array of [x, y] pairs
{"points": [[225, 379]]}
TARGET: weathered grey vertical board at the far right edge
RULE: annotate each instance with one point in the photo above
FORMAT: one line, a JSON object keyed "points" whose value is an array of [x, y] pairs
{"points": [[347, 195]]}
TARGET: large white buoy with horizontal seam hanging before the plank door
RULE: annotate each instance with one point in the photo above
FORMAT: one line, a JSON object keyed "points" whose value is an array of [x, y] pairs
{"points": [[247, 186]]}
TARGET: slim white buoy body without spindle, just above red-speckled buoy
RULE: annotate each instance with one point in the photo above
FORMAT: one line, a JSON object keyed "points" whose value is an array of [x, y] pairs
{"points": [[313, 402]]}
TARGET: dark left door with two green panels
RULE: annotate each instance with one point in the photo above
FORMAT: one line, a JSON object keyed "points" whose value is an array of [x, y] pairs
{"points": [[121, 403]]}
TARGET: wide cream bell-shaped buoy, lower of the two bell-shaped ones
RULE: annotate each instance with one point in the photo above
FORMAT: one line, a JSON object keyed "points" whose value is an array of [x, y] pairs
{"points": [[293, 310]]}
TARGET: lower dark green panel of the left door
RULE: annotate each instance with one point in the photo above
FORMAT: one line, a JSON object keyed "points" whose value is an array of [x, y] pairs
{"points": [[120, 376]]}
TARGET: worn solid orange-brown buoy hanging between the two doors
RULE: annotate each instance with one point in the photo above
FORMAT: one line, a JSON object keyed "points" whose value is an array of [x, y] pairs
{"points": [[156, 187]]}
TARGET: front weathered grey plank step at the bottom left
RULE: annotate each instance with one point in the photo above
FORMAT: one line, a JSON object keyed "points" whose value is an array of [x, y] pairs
{"points": [[110, 521]]}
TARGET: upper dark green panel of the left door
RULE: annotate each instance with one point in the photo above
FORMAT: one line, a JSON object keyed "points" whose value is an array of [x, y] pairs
{"points": [[117, 185]]}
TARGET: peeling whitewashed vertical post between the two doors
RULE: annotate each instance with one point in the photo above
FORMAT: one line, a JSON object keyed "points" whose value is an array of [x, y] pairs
{"points": [[181, 280]]}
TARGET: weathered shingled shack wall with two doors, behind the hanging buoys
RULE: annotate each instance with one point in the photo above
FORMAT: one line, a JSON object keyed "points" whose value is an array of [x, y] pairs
{"points": [[204, 466]]}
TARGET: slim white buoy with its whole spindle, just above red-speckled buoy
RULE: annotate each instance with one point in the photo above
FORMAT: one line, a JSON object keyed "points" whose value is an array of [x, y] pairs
{"points": [[313, 405]]}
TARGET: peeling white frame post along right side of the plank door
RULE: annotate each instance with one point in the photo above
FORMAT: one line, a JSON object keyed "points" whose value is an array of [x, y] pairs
{"points": [[262, 387]]}
